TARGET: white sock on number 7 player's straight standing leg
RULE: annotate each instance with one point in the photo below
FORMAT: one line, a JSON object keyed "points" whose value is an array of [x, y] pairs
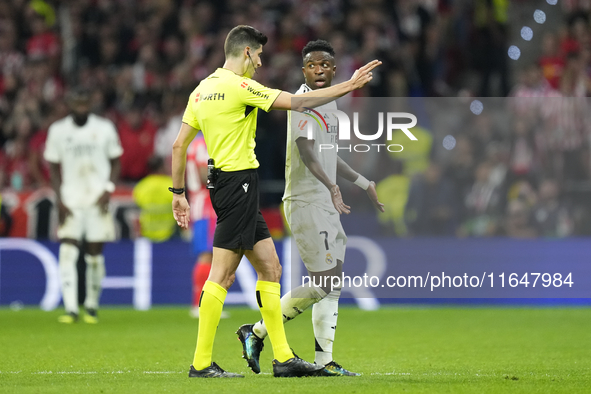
{"points": [[324, 319]]}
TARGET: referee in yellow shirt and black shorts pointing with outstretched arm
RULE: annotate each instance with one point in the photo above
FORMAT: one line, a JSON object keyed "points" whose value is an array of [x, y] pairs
{"points": [[224, 107]]}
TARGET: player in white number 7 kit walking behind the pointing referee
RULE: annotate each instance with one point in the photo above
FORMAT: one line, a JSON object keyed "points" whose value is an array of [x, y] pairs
{"points": [[313, 203]]}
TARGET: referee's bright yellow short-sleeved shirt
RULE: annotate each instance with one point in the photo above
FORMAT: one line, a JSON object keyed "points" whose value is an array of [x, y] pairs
{"points": [[224, 107]]}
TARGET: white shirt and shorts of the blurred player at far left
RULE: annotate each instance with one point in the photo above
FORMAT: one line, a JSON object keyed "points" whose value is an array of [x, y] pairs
{"points": [[84, 154]]}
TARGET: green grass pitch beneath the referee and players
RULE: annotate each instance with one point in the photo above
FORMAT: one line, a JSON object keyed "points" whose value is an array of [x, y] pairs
{"points": [[400, 349]]}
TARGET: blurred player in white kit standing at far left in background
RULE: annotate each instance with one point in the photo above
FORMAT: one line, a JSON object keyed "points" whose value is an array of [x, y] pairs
{"points": [[83, 150]]}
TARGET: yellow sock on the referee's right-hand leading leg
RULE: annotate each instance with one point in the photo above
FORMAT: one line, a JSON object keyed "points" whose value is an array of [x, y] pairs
{"points": [[269, 300]]}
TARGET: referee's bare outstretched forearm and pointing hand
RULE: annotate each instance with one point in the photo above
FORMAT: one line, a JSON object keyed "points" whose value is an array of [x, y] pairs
{"points": [[319, 97]]}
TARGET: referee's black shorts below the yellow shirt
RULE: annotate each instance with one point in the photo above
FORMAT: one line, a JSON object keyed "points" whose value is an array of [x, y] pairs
{"points": [[235, 199]]}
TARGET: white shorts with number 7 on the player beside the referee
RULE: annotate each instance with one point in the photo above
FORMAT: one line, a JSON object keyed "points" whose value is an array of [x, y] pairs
{"points": [[318, 233]]}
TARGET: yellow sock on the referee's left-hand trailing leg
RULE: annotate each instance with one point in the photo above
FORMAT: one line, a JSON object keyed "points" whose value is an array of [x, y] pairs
{"points": [[210, 310]]}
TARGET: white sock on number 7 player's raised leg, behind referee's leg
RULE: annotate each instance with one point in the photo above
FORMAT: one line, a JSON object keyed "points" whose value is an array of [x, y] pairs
{"points": [[293, 304]]}
